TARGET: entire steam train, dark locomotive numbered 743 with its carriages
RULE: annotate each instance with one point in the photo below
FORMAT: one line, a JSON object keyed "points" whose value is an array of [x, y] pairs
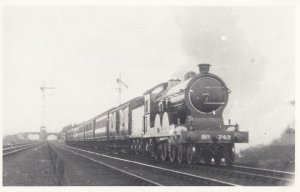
{"points": [[176, 121]]}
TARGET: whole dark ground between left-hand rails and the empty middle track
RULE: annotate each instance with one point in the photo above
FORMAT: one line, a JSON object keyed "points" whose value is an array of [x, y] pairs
{"points": [[35, 167]]}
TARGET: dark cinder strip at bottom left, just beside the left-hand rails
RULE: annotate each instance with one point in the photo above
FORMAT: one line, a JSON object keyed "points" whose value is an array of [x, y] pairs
{"points": [[31, 167]]}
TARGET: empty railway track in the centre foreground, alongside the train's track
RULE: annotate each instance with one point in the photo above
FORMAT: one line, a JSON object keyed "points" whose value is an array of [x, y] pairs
{"points": [[147, 174]]}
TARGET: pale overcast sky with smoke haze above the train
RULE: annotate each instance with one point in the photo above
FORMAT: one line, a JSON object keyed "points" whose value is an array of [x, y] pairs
{"points": [[81, 51]]}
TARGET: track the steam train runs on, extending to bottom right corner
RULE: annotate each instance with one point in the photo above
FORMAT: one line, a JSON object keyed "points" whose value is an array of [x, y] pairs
{"points": [[237, 175]]}
